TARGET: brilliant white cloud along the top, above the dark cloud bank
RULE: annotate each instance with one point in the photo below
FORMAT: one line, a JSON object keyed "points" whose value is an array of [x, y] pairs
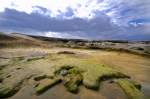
{"points": [[82, 8]]}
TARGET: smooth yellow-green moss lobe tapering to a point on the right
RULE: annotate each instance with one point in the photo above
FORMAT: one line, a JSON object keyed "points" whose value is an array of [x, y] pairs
{"points": [[91, 79]]}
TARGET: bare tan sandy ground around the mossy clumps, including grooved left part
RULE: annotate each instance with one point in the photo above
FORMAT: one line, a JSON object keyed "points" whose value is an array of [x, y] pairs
{"points": [[137, 67]]}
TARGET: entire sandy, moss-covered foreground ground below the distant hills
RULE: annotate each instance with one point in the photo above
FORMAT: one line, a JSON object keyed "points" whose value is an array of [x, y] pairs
{"points": [[65, 73]]}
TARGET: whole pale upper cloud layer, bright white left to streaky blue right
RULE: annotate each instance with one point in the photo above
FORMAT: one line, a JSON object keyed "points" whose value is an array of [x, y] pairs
{"points": [[84, 8]]}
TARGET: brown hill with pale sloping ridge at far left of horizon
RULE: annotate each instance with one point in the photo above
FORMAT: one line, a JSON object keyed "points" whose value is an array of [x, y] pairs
{"points": [[15, 40]]}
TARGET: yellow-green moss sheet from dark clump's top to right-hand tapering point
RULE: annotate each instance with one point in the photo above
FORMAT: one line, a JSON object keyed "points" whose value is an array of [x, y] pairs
{"points": [[93, 74]]}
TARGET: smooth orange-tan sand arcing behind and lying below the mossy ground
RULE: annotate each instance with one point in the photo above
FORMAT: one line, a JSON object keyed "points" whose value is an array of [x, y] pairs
{"points": [[138, 67]]}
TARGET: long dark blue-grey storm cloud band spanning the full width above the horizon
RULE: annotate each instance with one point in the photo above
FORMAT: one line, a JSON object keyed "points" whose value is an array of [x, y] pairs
{"points": [[99, 27]]}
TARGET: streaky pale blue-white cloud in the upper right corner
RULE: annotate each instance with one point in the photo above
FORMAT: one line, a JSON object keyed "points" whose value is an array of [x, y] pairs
{"points": [[122, 12]]}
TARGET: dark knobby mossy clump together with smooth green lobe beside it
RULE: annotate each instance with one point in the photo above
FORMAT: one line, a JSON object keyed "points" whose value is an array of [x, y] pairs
{"points": [[72, 77]]}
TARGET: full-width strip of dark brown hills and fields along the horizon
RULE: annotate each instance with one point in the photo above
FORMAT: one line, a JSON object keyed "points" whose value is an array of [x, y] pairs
{"points": [[23, 40]]}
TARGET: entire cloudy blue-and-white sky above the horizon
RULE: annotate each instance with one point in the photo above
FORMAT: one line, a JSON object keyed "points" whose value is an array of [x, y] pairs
{"points": [[79, 19]]}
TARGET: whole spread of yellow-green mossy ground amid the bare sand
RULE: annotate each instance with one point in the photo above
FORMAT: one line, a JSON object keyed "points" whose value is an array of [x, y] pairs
{"points": [[72, 72]]}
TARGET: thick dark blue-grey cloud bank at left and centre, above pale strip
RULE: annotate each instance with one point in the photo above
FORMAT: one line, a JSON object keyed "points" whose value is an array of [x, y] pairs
{"points": [[15, 19]]}
